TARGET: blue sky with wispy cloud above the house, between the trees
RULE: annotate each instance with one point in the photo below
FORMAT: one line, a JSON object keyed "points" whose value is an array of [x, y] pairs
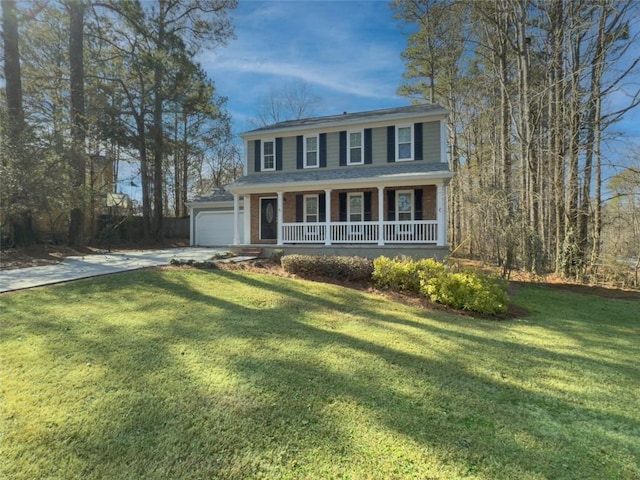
{"points": [[347, 51]]}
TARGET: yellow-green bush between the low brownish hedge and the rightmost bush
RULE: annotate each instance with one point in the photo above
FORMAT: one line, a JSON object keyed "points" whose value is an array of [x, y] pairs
{"points": [[404, 274]]}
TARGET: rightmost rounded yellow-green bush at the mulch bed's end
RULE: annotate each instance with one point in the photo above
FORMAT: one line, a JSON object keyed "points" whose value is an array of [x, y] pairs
{"points": [[467, 290]]}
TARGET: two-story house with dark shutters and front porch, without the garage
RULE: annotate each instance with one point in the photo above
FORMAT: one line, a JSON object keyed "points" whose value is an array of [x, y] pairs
{"points": [[367, 183]]}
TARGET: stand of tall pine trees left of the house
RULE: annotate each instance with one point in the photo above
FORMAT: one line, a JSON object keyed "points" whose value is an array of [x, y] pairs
{"points": [[115, 81]]}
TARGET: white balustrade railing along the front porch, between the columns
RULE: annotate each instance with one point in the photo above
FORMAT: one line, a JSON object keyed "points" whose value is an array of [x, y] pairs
{"points": [[418, 231]]}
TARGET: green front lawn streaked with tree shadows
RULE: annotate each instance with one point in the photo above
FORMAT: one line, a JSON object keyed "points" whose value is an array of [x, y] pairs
{"points": [[186, 374]]}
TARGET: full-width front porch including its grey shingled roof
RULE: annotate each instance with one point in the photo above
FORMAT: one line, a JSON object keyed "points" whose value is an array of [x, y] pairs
{"points": [[381, 207]]}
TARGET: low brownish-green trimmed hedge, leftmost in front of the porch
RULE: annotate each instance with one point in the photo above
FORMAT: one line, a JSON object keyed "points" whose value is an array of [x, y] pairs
{"points": [[336, 267]]}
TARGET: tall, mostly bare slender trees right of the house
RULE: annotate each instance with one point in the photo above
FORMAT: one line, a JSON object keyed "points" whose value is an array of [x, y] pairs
{"points": [[535, 88]]}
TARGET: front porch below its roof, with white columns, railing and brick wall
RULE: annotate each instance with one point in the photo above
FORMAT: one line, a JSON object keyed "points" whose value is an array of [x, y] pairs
{"points": [[367, 215]]}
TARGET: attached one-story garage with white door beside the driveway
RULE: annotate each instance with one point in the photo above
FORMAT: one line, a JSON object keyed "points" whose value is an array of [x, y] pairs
{"points": [[212, 220]]}
